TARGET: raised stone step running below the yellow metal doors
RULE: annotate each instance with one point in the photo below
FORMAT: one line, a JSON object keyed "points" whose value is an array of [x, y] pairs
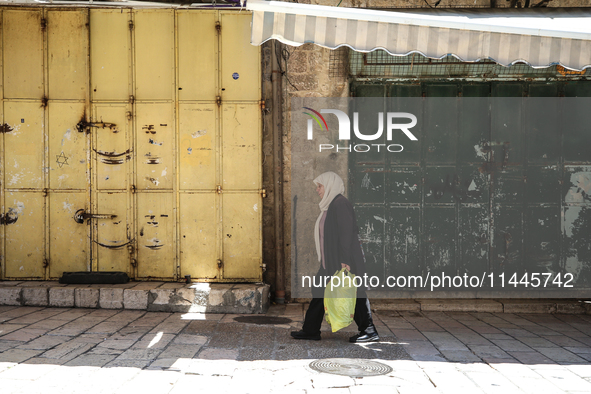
{"points": [[150, 296]]}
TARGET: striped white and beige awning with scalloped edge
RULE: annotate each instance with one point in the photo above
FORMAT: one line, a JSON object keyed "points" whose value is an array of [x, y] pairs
{"points": [[540, 37]]}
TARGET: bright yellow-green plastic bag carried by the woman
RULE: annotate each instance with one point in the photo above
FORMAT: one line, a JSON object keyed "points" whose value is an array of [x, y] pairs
{"points": [[340, 296]]}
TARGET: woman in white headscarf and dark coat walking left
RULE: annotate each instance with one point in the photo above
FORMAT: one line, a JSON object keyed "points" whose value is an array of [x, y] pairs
{"points": [[337, 246]]}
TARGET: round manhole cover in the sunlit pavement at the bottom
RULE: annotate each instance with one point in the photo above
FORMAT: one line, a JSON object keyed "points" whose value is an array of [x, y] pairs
{"points": [[350, 367]]}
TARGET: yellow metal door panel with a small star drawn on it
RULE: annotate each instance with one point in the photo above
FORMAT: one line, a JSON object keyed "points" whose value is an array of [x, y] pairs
{"points": [[68, 148]]}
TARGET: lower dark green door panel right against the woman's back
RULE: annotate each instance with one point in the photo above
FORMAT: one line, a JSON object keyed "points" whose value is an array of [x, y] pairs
{"points": [[371, 222]]}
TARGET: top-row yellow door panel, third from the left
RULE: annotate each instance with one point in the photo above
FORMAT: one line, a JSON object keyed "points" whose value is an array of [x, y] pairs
{"points": [[110, 54]]}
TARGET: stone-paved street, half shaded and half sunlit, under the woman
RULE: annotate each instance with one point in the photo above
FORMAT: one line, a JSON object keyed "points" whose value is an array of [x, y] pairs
{"points": [[77, 350]]}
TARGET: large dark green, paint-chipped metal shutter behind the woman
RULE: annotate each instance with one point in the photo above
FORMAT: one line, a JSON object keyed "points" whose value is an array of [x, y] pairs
{"points": [[517, 176]]}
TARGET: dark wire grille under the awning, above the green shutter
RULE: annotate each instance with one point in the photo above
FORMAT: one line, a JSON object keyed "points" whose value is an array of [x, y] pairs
{"points": [[379, 63]]}
